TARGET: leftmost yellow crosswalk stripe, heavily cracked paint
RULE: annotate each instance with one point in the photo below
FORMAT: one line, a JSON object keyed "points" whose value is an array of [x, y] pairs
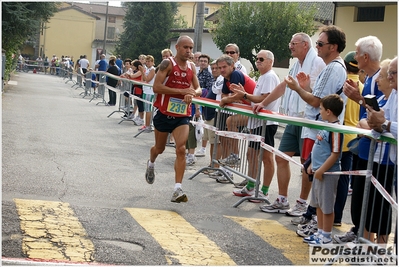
{"points": [[52, 231]]}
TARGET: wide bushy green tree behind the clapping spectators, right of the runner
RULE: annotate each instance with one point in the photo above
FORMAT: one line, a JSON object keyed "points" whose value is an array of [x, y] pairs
{"points": [[262, 25]]}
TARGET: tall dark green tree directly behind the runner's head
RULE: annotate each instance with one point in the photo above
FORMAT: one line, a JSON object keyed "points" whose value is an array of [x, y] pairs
{"points": [[144, 33]]}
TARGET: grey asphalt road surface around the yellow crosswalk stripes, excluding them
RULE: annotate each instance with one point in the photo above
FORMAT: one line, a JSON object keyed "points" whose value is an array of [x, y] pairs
{"points": [[58, 146]]}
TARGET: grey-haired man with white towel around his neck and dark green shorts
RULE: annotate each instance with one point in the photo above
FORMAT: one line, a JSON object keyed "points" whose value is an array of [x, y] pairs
{"points": [[293, 105]]}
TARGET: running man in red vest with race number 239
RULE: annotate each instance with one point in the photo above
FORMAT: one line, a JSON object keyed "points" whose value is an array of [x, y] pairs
{"points": [[175, 84]]}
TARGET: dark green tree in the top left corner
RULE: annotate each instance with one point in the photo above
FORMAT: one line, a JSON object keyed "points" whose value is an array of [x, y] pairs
{"points": [[20, 22]]}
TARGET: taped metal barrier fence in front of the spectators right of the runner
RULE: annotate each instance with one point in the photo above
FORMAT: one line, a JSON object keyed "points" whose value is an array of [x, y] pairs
{"points": [[378, 207]]}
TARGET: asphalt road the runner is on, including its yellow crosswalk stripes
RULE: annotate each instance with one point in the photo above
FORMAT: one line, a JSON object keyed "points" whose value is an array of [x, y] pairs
{"points": [[60, 148]]}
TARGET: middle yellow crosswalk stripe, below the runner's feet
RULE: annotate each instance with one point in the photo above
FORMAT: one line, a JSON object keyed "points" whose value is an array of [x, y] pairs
{"points": [[179, 238]]}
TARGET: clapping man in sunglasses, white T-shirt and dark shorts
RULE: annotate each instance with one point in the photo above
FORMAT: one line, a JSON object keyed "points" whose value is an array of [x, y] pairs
{"points": [[267, 81]]}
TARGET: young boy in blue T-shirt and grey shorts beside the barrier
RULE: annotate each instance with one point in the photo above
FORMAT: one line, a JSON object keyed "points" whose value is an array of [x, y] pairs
{"points": [[325, 156]]}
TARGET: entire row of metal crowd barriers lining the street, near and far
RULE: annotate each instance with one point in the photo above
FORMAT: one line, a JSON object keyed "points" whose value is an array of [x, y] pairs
{"points": [[233, 135]]}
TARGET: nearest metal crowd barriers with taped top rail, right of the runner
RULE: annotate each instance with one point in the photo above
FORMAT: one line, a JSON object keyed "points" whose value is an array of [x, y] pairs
{"points": [[378, 188]]}
